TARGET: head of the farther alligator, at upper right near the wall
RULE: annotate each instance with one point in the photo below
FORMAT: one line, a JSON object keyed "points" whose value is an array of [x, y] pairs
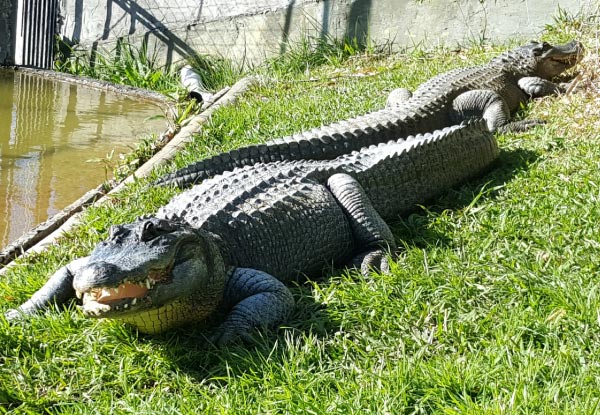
{"points": [[542, 59]]}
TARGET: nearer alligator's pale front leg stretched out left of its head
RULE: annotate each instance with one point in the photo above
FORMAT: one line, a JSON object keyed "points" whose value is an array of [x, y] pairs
{"points": [[57, 290]]}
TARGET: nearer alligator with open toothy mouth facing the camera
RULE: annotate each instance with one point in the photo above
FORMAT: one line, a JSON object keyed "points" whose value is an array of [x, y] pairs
{"points": [[227, 246]]}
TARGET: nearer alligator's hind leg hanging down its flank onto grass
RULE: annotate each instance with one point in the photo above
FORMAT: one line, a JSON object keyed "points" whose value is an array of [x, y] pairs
{"points": [[373, 236]]}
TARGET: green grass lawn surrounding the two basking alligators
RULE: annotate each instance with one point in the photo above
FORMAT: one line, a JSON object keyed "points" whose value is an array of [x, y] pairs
{"points": [[492, 305]]}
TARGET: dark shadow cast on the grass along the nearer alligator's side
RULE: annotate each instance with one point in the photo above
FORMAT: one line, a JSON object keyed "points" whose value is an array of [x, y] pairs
{"points": [[188, 349]]}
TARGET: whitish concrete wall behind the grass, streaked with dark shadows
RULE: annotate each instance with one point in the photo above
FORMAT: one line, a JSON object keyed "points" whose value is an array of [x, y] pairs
{"points": [[251, 30]]}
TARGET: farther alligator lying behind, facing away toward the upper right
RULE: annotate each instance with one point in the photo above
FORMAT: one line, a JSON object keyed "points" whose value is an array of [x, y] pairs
{"points": [[492, 91]]}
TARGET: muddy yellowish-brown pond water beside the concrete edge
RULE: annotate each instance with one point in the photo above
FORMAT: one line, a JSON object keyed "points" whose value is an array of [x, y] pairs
{"points": [[49, 133]]}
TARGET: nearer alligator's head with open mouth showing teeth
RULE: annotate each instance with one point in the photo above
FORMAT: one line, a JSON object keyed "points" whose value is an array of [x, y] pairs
{"points": [[148, 272]]}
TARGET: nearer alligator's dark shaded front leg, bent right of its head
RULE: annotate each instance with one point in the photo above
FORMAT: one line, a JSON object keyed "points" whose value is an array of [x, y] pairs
{"points": [[255, 299]]}
